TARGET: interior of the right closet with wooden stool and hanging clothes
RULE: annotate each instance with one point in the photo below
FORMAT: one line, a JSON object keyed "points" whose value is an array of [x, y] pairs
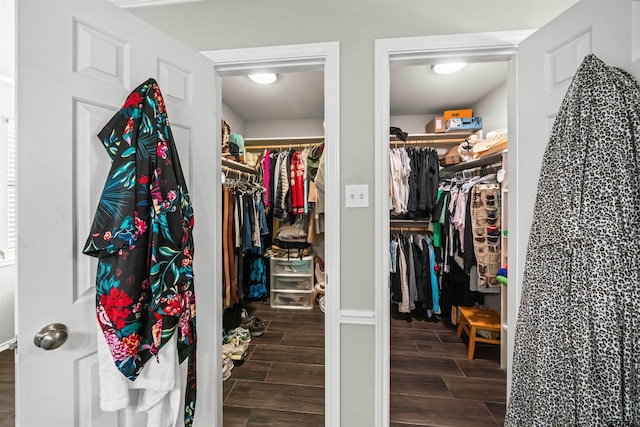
{"points": [[448, 245]]}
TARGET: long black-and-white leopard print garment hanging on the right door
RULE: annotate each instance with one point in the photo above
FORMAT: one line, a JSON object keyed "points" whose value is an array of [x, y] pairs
{"points": [[577, 344]]}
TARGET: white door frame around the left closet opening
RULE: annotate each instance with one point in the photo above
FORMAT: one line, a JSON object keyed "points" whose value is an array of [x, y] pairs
{"points": [[314, 56]]}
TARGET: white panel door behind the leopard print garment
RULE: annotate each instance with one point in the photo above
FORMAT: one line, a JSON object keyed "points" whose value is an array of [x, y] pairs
{"points": [[547, 62]]}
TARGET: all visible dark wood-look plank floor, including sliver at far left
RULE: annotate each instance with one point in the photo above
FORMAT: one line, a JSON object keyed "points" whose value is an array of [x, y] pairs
{"points": [[282, 381]]}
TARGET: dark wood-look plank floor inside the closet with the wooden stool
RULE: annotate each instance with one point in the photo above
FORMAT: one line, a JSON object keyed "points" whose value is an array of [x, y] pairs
{"points": [[434, 384]]}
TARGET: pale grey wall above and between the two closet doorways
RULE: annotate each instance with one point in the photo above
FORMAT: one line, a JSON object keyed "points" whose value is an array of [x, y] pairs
{"points": [[355, 24]]}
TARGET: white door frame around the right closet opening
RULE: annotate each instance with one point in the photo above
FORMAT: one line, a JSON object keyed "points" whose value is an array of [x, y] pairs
{"points": [[490, 46]]}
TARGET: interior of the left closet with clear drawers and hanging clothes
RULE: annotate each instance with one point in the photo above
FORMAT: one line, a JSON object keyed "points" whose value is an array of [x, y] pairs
{"points": [[273, 257]]}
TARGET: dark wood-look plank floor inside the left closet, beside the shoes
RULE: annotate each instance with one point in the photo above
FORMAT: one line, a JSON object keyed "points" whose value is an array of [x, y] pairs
{"points": [[281, 383]]}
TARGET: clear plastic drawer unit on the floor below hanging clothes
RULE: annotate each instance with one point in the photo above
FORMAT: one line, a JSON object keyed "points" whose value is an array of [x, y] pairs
{"points": [[292, 283]]}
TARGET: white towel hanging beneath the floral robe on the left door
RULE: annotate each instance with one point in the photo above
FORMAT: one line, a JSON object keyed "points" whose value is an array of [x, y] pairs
{"points": [[159, 384]]}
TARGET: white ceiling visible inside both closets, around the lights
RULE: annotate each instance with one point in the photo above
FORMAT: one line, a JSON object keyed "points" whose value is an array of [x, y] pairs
{"points": [[415, 90]]}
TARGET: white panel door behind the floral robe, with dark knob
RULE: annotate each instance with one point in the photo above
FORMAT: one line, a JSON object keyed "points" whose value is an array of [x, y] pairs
{"points": [[77, 62]]}
